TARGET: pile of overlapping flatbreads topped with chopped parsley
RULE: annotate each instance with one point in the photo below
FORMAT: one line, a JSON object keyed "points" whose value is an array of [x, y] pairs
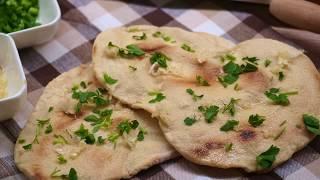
{"points": [[152, 93]]}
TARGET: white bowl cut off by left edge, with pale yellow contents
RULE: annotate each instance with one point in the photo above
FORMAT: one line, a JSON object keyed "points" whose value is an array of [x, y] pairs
{"points": [[16, 80]]}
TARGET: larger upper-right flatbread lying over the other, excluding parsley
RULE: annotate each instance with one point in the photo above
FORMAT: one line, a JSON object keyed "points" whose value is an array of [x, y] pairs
{"points": [[202, 142]]}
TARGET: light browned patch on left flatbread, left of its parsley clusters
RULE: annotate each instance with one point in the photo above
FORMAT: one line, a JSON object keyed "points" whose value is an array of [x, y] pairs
{"points": [[63, 120]]}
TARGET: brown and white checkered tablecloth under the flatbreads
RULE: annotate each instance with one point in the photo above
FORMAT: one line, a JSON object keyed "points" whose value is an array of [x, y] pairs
{"points": [[82, 20]]}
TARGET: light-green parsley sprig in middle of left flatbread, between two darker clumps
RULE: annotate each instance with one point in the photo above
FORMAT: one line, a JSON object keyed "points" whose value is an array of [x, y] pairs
{"points": [[100, 119]]}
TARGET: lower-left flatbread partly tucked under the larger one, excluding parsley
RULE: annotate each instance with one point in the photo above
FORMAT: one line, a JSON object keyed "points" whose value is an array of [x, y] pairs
{"points": [[107, 161]]}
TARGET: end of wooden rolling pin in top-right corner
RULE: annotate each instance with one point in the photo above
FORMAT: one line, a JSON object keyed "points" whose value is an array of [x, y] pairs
{"points": [[300, 13]]}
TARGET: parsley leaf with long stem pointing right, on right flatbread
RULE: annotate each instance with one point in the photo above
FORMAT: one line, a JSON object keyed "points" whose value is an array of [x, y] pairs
{"points": [[278, 97]]}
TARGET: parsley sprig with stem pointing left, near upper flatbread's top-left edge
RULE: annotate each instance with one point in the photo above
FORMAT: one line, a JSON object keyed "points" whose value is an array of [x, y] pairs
{"points": [[131, 51]]}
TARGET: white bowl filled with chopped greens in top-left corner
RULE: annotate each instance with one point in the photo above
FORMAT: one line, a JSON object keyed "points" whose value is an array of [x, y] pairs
{"points": [[29, 22]]}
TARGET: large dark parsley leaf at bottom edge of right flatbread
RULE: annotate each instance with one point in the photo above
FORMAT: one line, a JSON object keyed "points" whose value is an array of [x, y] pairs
{"points": [[266, 159]]}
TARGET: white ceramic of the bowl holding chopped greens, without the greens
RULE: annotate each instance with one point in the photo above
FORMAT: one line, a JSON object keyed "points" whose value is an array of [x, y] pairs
{"points": [[49, 16]]}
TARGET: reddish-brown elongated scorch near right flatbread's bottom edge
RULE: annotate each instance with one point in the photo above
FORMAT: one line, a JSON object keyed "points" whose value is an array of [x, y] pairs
{"points": [[204, 149]]}
